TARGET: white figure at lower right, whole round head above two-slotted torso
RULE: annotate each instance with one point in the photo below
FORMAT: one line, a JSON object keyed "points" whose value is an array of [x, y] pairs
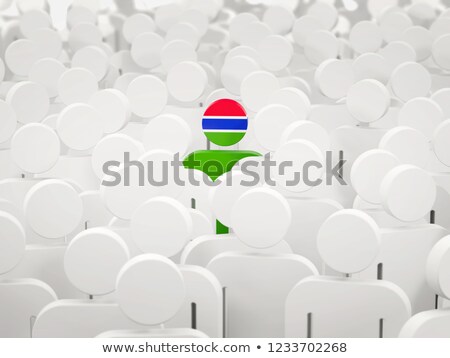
{"points": [[328, 306]]}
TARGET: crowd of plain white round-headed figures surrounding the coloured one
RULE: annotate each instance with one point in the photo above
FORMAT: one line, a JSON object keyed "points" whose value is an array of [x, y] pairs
{"points": [[83, 82]]}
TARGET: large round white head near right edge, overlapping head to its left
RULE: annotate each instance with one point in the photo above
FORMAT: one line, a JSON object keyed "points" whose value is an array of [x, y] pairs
{"points": [[408, 193]]}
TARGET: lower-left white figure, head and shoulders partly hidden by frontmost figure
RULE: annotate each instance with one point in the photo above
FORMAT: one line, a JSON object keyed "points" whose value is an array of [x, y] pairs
{"points": [[91, 263]]}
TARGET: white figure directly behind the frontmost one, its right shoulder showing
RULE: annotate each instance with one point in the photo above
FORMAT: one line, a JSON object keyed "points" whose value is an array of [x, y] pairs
{"points": [[163, 226]]}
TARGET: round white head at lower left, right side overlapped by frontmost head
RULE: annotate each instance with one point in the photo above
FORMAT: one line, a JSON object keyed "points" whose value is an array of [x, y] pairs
{"points": [[93, 260]]}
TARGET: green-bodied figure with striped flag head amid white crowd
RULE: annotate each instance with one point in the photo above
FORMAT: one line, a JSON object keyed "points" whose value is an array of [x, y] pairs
{"points": [[224, 123]]}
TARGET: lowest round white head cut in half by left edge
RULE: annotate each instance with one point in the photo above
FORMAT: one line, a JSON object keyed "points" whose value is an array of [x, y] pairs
{"points": [[12, 242]]}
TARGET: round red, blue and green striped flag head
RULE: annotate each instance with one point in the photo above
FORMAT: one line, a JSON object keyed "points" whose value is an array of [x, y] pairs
{"points": [[225, 122]]}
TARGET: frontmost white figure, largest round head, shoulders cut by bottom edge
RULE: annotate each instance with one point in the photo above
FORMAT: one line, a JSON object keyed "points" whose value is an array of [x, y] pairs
{"points": [[151, 290]]}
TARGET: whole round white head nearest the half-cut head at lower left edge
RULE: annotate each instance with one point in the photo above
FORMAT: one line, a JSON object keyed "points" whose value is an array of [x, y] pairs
{"points": [[53, 208]]}
